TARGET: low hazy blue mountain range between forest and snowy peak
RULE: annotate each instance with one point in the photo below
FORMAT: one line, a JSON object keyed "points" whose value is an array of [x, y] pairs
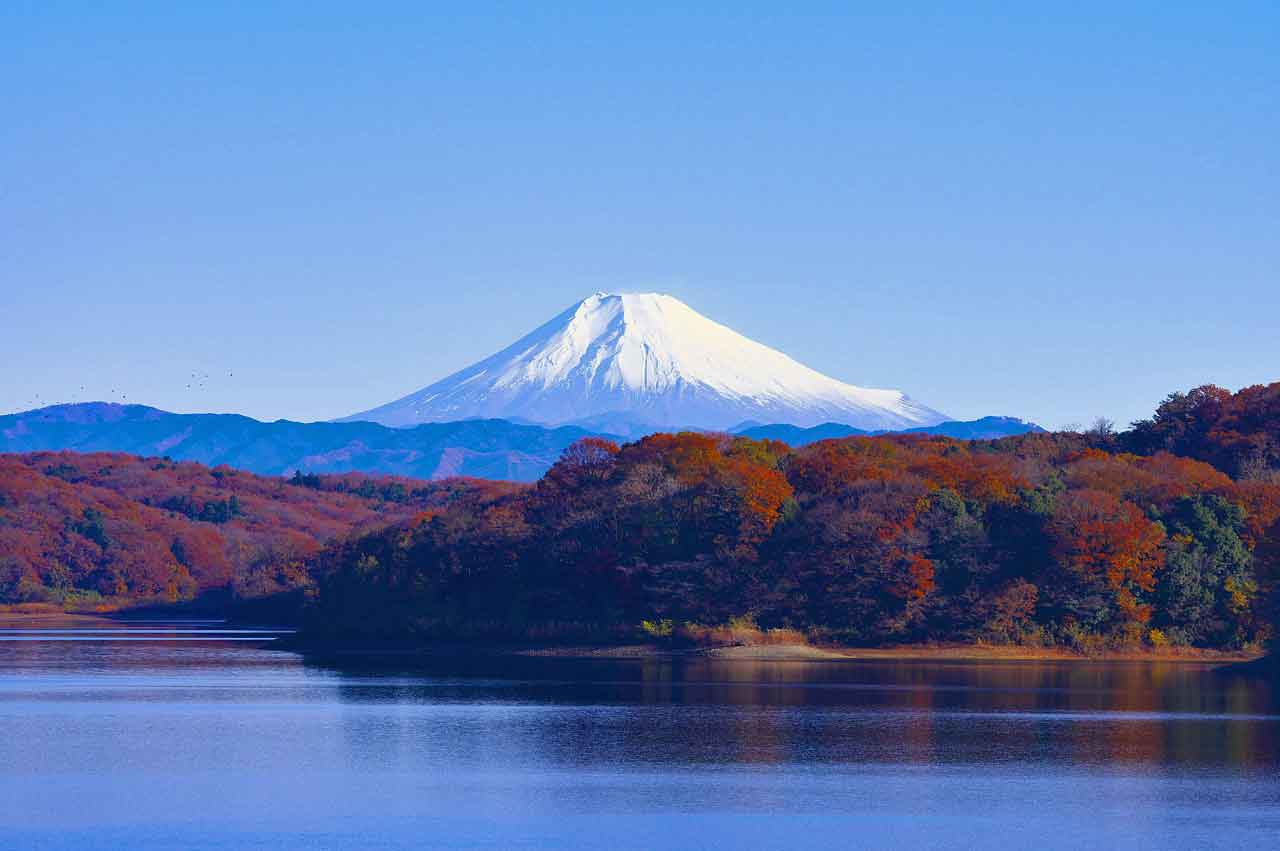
{"points": [[483, 449]]}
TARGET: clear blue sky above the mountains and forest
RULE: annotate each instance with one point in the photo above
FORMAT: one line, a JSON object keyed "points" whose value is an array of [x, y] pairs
{"points": [[998, 209]]}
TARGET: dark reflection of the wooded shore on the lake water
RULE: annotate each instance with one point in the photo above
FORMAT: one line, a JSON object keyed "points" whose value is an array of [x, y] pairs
{"points": [[708, 712]]}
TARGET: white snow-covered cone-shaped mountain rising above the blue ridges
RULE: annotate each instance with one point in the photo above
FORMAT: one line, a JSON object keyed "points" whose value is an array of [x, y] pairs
{"points": [[652, 359]]}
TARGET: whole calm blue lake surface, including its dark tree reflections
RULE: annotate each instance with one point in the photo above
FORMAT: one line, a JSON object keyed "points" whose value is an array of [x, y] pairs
{"points": [[194, 736]]}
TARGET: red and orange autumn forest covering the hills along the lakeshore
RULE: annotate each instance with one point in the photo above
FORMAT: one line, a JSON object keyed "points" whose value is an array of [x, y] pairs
{"points": [[1164, 534]]}
